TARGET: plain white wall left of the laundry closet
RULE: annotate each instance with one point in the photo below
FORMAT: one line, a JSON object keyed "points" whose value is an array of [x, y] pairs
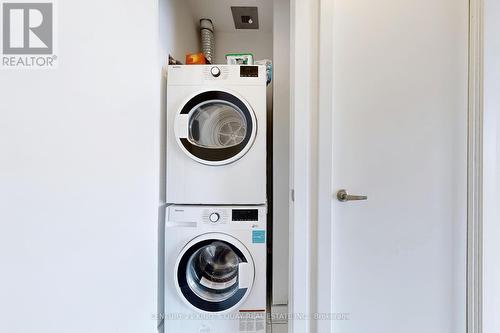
{"points": [[78, 175]]}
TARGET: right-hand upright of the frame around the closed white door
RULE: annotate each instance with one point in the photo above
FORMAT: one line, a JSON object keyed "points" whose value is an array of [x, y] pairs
{"points": [[475, 169]]}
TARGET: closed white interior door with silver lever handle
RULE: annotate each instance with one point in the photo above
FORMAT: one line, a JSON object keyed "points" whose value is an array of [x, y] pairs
{"points": [[399, 137]]}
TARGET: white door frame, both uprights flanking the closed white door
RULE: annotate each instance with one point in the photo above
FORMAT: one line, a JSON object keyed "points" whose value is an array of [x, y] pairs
{"points": [[311, 159]]}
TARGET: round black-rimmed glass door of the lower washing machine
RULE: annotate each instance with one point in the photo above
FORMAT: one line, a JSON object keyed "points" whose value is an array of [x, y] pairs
{"points": [[209, 275]]}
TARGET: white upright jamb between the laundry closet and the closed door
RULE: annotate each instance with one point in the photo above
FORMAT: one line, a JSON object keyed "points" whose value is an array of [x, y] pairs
{"points": [[304, 42]]}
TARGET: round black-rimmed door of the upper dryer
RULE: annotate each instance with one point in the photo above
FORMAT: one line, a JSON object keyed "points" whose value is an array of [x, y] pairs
{"points": [[221, 128]]}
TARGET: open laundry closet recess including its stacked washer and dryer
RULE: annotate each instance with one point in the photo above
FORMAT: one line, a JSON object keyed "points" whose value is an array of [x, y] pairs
{"points": [[247, 56]]}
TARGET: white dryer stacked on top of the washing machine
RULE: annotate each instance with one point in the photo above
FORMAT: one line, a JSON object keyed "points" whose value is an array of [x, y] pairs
{"points": [[216, 134]]}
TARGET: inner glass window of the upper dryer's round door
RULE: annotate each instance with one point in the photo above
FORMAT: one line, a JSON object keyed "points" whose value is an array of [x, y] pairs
{"points": [[217, 124]]}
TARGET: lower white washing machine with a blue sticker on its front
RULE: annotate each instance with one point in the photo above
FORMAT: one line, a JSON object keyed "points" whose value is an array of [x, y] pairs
{"points": [[215, 269]]}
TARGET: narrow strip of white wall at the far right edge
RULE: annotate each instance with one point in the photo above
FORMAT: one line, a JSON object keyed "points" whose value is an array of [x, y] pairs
{"points": [[491, 167]]}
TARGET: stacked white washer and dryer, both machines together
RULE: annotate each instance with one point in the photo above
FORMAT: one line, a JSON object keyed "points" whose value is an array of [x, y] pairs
{"points": [[215, 229]]}
